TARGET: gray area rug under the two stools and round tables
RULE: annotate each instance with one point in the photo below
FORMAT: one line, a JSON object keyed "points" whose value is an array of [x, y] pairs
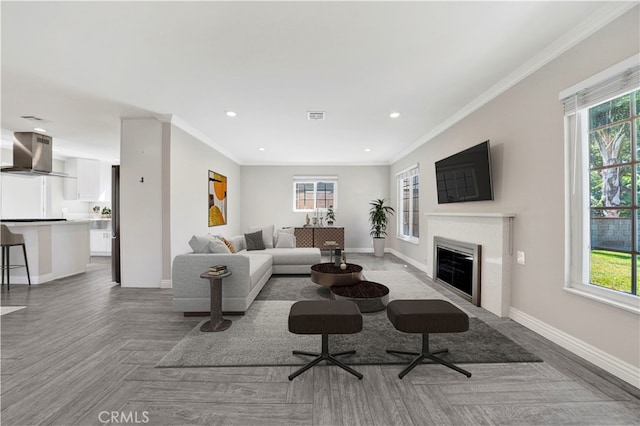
{"points": [[261, 336]]}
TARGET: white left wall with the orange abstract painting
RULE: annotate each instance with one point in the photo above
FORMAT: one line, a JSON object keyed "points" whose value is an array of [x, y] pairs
{"points": [[191, 161]]}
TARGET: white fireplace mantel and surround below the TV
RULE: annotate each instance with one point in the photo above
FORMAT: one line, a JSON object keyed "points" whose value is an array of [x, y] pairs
{"points": [[493, 231]]}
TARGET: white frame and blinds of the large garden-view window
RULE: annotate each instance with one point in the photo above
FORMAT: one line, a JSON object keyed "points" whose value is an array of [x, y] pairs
{"points": [[577, 191]]}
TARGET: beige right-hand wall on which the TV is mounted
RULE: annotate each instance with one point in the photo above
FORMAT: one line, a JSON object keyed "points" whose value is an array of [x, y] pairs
{"points": [[525, 126]]}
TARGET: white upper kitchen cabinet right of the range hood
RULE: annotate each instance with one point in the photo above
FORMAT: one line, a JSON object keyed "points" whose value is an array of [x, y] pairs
{"points": [[86, 185]]}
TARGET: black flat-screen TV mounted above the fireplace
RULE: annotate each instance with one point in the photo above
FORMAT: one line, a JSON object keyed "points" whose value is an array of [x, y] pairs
{"points": [[465, 176]]}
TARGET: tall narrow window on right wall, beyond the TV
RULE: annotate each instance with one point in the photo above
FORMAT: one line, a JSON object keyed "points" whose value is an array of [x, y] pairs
{"points": [[408, 204]]}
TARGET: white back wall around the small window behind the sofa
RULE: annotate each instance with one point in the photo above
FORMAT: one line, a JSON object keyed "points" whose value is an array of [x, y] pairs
{"points": [[267, 197]]}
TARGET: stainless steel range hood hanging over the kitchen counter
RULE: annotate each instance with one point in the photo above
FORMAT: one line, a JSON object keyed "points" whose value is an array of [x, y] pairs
{"points": [[32, 155]]}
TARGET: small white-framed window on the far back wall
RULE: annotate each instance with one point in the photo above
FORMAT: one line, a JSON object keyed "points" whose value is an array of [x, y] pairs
{"points": [[312, 193]]}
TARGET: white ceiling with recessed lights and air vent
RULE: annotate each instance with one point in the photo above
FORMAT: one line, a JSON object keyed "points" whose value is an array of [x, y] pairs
{"points": [[82, 66]]}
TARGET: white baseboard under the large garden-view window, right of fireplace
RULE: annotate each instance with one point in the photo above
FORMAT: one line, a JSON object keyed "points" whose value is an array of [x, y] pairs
{"points": [[619, 368]]}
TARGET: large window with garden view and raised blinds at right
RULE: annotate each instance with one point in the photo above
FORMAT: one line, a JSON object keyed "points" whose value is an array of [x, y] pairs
{"points": [[603, 185]]}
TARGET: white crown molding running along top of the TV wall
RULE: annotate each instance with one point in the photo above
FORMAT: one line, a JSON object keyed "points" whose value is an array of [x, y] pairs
{"points": [[597, 20]]}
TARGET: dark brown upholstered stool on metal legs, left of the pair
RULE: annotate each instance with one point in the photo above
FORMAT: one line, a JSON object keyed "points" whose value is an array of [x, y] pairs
{"points": [[325, 317]]}
